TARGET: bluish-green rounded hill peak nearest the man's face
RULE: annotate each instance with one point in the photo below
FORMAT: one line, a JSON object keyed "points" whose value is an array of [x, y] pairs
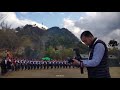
{"points": [[61, 36]]}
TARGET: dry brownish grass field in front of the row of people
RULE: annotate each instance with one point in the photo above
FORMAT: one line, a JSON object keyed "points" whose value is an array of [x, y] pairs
{"points": [[56, 73]]}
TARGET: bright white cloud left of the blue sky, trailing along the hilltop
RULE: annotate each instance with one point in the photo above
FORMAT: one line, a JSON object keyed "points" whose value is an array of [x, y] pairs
{"points": [[15, 22]]}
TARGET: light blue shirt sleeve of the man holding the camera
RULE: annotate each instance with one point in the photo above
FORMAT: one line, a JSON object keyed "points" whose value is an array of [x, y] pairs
{"points": [[97, 56]]}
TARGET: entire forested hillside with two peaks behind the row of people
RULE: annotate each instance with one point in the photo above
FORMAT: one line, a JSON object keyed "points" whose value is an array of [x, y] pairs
{"points": [[21, 39]]}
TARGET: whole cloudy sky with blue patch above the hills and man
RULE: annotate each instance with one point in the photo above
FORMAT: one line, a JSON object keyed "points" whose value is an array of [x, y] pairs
{"points": [[104, 25]]}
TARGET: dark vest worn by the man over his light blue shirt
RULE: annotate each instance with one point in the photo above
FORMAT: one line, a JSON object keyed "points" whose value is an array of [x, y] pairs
{"points": [[101, 70]]}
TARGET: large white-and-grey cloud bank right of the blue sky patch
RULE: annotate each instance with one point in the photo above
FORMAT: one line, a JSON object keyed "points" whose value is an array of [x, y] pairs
{"points": [[104, 25]]}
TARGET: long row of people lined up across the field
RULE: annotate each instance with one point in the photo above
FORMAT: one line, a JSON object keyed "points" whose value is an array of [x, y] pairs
{"points": [[12, 64]]}
